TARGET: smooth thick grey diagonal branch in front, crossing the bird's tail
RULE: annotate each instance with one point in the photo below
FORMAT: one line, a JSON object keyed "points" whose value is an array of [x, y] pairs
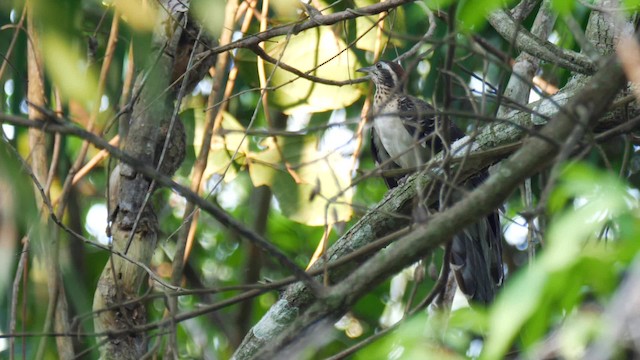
{"points": [[584, 110]]}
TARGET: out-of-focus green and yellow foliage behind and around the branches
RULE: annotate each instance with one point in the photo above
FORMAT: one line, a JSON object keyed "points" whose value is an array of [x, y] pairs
{"points": [[591, 220]]}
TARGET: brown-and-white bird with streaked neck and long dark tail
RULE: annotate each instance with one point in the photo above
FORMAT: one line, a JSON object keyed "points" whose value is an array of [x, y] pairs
{"points": [[403, 137]]}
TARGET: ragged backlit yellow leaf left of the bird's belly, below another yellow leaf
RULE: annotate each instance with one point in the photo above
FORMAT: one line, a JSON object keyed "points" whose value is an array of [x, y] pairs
{"points": [[311, 187]]}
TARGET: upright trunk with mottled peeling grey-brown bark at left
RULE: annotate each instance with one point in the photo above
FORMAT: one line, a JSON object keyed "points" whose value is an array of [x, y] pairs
{"points": [[135, 226]]}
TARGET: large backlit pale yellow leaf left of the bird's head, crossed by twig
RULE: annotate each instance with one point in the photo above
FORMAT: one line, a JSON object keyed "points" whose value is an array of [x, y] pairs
{"points": [[321, 48]]}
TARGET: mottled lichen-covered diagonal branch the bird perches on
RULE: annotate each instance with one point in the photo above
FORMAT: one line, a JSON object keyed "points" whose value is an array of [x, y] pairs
{"points": [[378, 223]]}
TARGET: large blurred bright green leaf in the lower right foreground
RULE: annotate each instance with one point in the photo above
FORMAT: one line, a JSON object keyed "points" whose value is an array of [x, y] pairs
{"points": [[571, 259]]}
